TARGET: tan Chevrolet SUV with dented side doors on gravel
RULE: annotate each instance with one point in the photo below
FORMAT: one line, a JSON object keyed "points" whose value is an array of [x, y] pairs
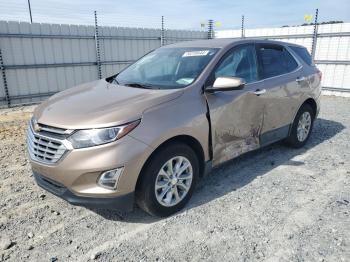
{"points": [[147, 134]]}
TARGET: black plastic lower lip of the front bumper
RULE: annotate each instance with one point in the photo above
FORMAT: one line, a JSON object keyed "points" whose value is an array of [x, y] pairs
{"points": [[121, 202]]}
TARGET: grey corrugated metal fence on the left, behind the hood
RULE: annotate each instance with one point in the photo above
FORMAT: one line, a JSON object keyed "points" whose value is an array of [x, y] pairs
{"points": [[42, 59]]}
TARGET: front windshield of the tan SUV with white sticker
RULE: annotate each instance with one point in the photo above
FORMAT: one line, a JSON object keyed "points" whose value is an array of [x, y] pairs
{"points": [[167, 68]]}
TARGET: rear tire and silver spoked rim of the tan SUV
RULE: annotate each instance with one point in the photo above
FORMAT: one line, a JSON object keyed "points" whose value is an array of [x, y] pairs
{"points": [[293, 139]]}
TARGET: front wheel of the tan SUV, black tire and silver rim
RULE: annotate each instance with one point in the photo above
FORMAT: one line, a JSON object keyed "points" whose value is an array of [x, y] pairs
{"points": [[157, 170]]}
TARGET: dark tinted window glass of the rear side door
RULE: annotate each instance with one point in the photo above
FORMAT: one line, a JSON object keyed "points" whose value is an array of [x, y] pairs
{"points": [[275, 60]]}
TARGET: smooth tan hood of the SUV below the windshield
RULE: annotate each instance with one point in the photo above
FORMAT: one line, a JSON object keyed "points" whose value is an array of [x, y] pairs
{"points": [[99, 104]]}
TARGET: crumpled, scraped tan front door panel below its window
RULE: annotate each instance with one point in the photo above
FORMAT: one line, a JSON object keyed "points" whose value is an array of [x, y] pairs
{"points": [[237, 118]]}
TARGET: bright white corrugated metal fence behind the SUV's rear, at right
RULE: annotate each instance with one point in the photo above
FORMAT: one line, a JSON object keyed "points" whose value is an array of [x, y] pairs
{"points": [[332, 50]]}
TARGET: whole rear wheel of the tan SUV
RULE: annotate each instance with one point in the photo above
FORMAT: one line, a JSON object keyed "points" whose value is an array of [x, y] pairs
{"points": [[302, 127]]}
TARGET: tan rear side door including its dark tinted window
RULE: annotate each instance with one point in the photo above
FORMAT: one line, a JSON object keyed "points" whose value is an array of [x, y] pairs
{"points": [[282, 79]]}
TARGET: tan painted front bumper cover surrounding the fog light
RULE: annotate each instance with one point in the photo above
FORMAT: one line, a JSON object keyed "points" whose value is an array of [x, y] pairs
{"points": [[79, 170]]}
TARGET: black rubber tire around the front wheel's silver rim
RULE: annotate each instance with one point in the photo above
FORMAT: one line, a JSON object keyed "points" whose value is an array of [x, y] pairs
{"points": [[145, 191]]}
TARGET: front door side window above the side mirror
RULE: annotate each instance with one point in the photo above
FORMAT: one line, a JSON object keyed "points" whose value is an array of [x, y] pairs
{"points": [[241, 62]]}
